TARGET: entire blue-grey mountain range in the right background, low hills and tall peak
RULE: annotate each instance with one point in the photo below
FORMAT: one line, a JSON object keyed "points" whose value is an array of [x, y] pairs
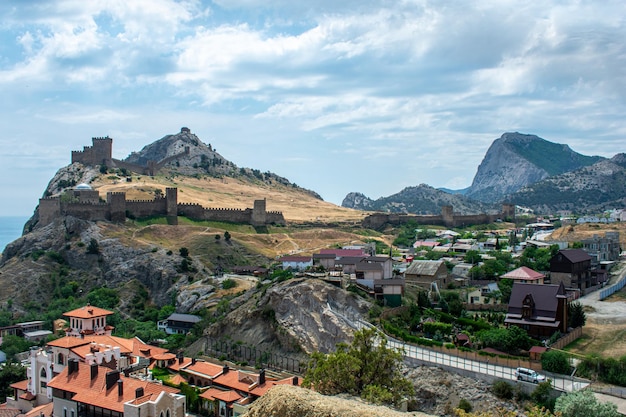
{"points": [[555, 177]]}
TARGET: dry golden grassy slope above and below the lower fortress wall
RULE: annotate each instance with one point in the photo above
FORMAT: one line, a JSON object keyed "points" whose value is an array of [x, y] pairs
{"points": [[299, 209]]}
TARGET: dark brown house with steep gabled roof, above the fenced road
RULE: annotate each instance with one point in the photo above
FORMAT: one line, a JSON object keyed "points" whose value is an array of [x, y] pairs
{"points": [[540, 309]]}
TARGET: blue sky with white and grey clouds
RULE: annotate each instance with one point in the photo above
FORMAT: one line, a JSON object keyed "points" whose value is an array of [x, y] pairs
{"points": [[336, 96]]}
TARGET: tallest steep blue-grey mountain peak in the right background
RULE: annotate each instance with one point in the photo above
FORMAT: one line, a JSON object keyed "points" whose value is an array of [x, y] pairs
{"points": [[516, 160]]}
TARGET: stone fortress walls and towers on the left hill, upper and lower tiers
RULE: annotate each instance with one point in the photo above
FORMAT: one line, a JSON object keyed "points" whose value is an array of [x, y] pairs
{"points": [[85, 203]]}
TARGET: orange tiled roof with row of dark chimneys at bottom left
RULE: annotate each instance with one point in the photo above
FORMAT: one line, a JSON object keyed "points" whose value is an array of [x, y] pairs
{"points": [[93, 390]]}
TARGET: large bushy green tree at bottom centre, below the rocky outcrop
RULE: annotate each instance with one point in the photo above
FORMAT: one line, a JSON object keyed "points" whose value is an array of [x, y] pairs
{"points": [[367, 368]]}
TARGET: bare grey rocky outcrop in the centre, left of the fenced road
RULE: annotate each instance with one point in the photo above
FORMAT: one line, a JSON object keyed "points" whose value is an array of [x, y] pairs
{"points": [[298, 315]]}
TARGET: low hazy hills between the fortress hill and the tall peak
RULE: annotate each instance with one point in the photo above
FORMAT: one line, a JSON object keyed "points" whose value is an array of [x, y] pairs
{"points": [[422, 199]]}
